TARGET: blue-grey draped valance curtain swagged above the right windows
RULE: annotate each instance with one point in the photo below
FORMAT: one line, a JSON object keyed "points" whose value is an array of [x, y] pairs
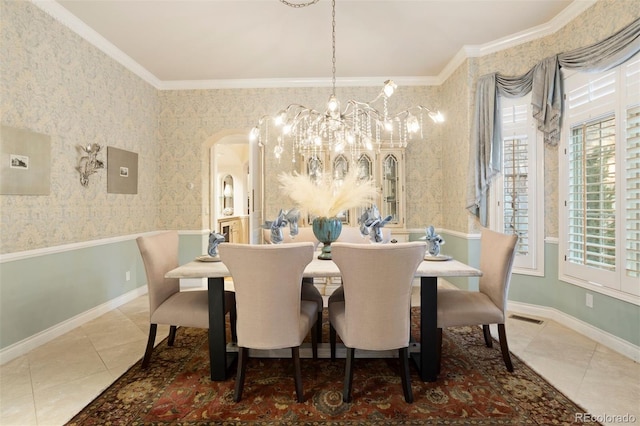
{"points": [[545, 82]]}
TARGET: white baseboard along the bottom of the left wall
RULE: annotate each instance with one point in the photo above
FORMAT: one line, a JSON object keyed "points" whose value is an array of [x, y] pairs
{"points": [[22, 347]]}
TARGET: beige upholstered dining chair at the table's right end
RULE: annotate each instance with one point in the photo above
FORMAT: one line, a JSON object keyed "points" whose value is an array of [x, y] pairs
{"points": [[488, 305]]}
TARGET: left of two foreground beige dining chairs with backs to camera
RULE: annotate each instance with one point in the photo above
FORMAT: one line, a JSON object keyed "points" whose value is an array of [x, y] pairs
{"points": [[271, 315]]}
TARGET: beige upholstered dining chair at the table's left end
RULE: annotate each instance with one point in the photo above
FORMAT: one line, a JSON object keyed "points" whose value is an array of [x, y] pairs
{"points": [[167, 304]]}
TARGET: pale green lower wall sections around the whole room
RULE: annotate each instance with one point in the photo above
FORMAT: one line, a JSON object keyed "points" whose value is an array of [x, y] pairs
{"points": [[40, 292]]}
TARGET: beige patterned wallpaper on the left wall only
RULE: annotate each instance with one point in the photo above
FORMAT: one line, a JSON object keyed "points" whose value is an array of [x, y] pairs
{"points": [[56, 83]]}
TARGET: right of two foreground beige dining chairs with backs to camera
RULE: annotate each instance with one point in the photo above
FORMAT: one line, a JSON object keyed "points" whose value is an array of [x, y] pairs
{"points": [[376, 311]]}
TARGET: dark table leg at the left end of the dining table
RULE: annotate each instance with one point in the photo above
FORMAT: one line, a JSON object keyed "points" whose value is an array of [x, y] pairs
{"points": [[219, 359]]}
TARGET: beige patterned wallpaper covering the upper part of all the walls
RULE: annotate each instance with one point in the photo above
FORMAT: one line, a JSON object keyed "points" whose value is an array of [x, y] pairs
{"points": [[54, 82]]}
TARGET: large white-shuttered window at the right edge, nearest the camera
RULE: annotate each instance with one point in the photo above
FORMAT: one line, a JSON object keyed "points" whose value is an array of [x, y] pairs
{"points": [[600, 181]]}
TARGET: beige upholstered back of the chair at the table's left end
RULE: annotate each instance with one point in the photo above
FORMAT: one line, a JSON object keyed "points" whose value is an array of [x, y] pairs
{"points": [[160, 255]]}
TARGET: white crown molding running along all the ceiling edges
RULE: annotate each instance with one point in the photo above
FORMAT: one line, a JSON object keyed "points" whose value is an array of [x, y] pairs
{"points": [[55, 10]]}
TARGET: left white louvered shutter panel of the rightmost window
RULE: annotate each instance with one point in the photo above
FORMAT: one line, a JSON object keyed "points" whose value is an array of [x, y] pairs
{"points": [[591, 196]]}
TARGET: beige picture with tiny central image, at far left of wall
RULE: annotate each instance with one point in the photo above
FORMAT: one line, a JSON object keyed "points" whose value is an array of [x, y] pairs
{"points": [[25, 162]]}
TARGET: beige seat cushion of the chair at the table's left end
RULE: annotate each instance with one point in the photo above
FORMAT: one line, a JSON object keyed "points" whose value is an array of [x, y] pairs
{"points": [[185, 308]]}
